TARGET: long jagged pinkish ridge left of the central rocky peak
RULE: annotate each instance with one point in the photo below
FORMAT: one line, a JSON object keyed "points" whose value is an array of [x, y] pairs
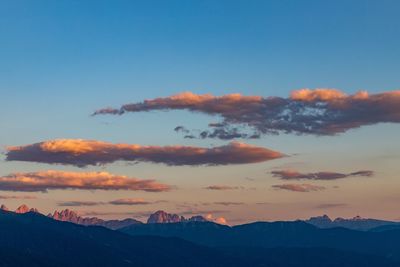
{"points": [[71, 216]]}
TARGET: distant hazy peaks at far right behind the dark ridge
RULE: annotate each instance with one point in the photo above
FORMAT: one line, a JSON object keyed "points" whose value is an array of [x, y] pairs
{"points": [[356, 223]]}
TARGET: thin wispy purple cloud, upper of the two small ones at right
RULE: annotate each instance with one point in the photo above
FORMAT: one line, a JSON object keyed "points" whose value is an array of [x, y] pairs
{"points": [[295, 175]]}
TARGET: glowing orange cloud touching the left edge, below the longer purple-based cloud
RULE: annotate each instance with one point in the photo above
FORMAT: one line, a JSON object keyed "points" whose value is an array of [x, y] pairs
{"points": [[53, 180]]}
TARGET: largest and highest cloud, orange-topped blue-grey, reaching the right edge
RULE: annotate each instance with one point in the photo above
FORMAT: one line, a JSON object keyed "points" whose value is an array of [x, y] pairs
{"points": [[305, 111]]}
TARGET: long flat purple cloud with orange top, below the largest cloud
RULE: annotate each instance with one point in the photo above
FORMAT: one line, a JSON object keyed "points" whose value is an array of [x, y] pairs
{"points": [[88, 152]]}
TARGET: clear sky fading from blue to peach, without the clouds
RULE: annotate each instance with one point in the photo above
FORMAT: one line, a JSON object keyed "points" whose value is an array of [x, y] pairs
{"points": [[61, 60]]}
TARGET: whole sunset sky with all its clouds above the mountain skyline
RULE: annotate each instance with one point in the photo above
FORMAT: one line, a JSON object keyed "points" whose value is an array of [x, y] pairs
{"points": [[63, 60]]}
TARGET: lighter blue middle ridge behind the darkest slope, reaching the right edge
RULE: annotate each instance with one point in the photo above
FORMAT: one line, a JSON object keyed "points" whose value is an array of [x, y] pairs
{"points": [[297, 234]]}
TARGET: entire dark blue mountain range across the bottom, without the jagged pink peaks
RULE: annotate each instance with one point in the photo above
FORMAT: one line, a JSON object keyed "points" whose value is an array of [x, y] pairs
{"points": [[32, 239]]}
